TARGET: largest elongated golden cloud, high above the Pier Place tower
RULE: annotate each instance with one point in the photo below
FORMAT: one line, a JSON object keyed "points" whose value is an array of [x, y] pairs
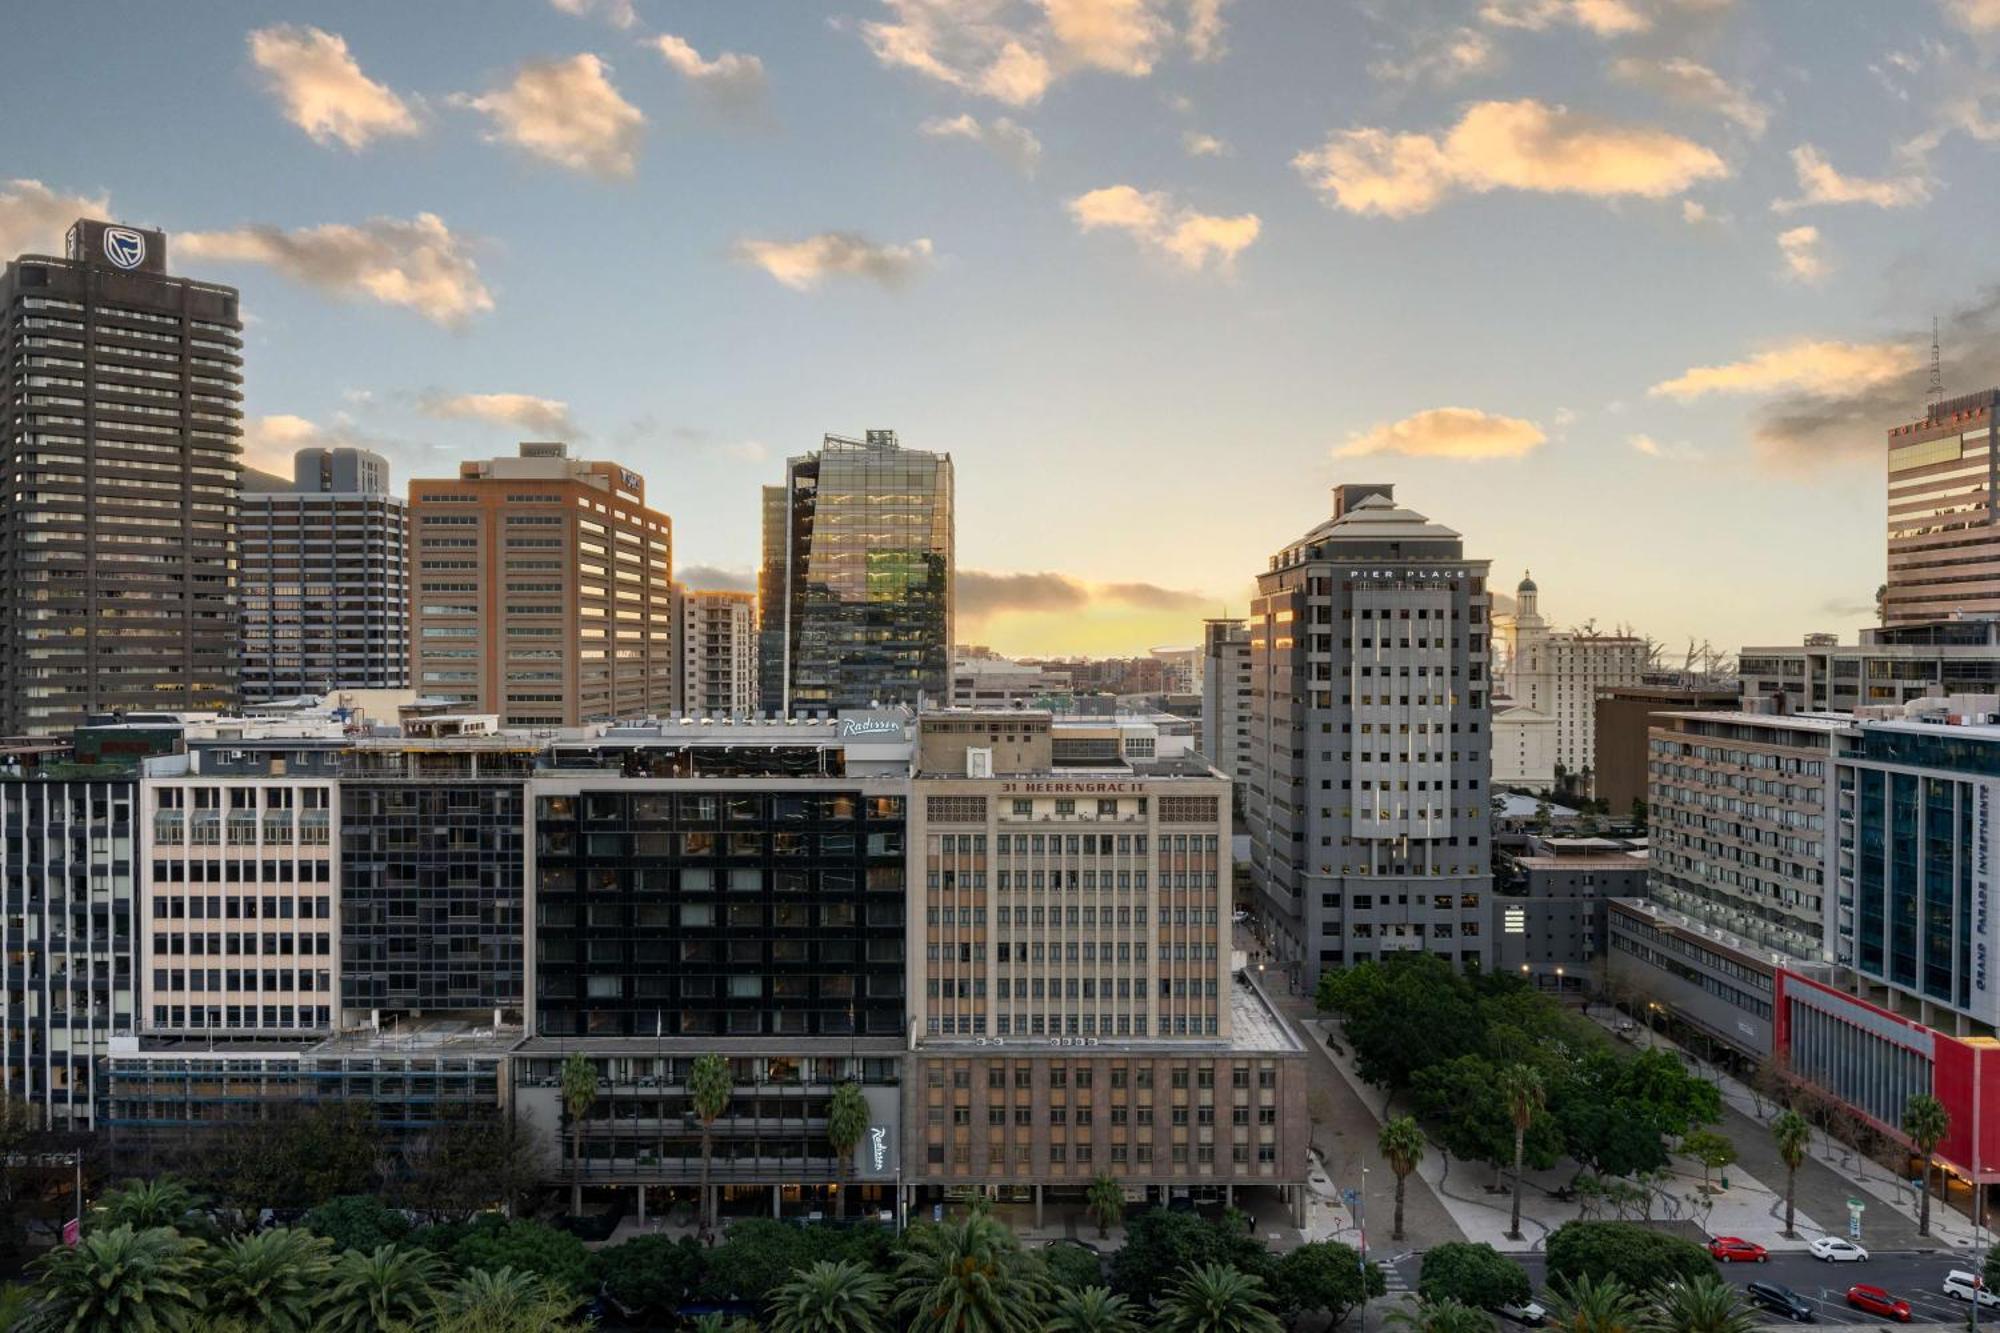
{"points": [[1503, 147]]}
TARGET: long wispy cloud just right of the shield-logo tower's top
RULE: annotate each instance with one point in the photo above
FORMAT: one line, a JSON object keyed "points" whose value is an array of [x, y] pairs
{"points": [[415, 263]]}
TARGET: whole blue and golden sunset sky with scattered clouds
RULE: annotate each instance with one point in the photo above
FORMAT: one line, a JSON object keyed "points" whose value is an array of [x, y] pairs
{"points": [[1625, 291]]}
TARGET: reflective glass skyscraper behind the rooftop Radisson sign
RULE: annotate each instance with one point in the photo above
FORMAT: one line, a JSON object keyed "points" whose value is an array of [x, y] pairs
{"points": [[859, 565]]}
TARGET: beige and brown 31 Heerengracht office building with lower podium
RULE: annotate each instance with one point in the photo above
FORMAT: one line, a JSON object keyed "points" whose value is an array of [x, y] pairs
{"points": [[1073, 1004]]}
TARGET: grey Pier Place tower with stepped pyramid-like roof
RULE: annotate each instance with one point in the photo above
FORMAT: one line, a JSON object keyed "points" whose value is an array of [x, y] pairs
{"points": [[1371, 740]]}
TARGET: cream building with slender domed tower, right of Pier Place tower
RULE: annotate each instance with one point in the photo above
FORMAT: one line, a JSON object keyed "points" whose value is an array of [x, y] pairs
{"points": [[1559, 674]]}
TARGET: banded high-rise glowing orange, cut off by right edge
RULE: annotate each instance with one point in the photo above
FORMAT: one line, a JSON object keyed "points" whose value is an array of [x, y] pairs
{"points": [[1943, 519]]}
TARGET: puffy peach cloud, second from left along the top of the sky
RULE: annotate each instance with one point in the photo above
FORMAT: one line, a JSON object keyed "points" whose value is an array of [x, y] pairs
{"points": [[569, 113]]}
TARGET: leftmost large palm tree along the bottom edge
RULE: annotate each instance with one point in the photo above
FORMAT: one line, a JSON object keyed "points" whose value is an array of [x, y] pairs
{"points": [[121, 1280]]}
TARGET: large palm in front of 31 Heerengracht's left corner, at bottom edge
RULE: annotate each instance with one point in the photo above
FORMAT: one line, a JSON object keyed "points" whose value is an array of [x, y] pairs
{"points": [[969, 1278]]}
